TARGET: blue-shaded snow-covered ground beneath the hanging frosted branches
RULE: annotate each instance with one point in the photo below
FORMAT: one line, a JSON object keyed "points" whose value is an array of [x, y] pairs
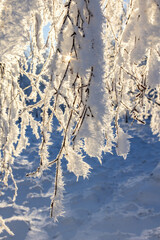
{"points": [[119, 201]]}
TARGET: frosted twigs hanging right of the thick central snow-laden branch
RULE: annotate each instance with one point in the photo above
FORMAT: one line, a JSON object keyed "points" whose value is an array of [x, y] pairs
{"points": [[132, 57]]}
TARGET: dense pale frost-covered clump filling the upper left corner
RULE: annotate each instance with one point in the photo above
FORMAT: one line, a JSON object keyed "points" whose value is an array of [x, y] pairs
{"points": [[16, 17]]}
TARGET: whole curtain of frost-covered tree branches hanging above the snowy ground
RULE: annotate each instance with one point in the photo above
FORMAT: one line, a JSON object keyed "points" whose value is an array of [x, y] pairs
{"points": [[115, 76]]}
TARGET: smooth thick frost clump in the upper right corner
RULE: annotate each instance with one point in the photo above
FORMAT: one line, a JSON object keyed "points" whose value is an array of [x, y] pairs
{"points": [[142, 31]]}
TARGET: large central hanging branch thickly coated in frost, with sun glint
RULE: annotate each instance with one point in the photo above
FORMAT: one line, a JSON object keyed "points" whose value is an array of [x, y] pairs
{"points": [[78, 79]]}
